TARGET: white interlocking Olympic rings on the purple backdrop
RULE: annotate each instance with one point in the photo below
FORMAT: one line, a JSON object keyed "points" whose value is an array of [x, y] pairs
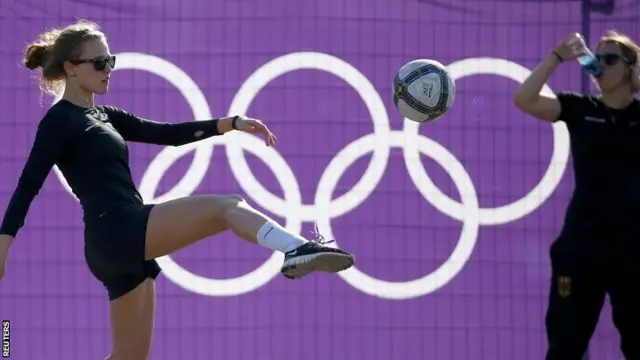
{"points": [[324, 208]]}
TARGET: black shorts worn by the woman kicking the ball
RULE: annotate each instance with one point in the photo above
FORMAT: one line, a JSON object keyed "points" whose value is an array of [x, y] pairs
{"points": [[115, 248]]}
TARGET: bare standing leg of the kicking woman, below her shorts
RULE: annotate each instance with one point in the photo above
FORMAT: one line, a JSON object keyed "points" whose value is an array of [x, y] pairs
{"points": [[132, 318]]}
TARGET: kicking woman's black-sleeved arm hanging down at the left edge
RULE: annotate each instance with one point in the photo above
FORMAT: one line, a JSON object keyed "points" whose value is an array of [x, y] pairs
{"points": [[50, 138]]}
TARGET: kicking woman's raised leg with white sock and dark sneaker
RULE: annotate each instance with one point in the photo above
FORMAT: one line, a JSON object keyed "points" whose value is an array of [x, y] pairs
{"points": [[176, 224]]}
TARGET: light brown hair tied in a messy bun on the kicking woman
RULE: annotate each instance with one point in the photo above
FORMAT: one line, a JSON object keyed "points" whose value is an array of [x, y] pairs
{"points": [[56, 46]]}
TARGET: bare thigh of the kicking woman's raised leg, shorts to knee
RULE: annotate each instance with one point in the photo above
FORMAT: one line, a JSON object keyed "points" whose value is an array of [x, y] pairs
{"points": [[176, 224]]}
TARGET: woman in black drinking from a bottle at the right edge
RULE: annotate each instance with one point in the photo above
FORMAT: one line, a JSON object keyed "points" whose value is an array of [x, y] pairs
{"points": [[598, 249]]}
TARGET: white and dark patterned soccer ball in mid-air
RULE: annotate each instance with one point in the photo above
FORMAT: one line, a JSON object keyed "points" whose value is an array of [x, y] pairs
{"points": [[423, 90]]}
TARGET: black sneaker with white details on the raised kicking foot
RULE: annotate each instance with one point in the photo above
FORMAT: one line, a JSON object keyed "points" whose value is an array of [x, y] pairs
{"points": [[314, 256]]}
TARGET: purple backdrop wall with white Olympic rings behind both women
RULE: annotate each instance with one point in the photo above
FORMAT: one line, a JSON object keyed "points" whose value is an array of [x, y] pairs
{"points": [[319, 72]]}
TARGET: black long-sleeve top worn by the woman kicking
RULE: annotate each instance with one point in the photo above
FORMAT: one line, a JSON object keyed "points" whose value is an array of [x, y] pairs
{"points": [[89, 147]]}
